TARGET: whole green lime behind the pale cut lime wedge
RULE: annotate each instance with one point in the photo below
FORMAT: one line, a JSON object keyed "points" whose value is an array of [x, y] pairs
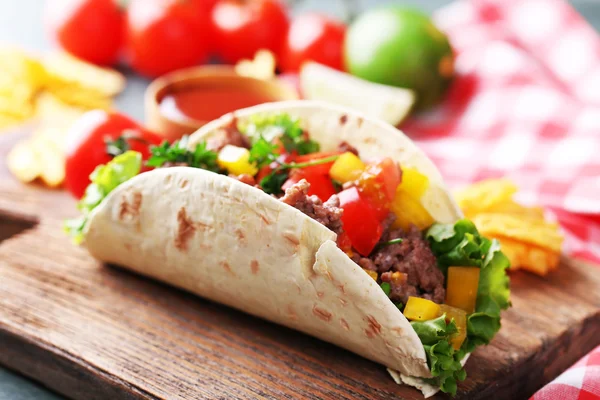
{"points": [[400, 47]]}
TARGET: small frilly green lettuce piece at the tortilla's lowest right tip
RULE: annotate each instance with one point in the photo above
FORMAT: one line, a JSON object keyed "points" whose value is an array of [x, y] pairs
{"points": [[443, 360]]}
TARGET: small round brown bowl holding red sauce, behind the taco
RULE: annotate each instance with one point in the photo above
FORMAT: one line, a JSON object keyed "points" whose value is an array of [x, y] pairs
{"points": [[198, 77]]}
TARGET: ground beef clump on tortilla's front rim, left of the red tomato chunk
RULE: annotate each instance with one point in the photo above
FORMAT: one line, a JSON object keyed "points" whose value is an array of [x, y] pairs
{"points": [[328, 213]]}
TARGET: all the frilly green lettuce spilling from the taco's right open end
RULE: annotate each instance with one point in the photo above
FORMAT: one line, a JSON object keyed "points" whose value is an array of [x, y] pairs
{"points": [[461, 244]]}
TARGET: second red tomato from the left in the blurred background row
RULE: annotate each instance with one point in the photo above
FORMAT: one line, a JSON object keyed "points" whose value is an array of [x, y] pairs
{"points": [[165, 35]]}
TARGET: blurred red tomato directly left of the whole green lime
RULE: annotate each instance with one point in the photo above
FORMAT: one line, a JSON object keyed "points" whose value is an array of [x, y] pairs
{"points": [[313, 37]]}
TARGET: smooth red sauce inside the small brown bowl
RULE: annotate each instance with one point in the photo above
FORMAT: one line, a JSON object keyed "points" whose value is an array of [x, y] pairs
{"points": [[208, 103]]}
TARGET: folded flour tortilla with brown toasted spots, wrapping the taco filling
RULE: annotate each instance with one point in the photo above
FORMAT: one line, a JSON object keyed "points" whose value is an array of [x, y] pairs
{"points": [[232, 243]]}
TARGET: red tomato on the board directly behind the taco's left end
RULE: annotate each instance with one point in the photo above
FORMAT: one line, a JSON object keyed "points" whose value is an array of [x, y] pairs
{"points": [[86, 146]]}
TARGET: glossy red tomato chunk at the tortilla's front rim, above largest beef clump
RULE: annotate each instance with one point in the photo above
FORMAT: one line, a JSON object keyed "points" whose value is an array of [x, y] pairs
{"points": [[360, 221]]}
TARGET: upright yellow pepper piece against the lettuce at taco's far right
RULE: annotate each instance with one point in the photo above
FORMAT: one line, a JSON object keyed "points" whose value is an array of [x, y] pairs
{"points": [[461, 289]]}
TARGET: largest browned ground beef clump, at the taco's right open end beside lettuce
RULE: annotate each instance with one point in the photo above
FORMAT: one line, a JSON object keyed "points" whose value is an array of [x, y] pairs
{"points": [[412, 257]]}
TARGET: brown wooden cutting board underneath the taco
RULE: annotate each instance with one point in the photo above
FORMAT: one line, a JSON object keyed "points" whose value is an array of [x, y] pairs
{"points": [[91, 331]]}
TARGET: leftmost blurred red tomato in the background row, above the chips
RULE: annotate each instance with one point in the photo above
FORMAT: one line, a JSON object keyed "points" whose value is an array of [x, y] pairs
{"points": [[89, 29]]}
